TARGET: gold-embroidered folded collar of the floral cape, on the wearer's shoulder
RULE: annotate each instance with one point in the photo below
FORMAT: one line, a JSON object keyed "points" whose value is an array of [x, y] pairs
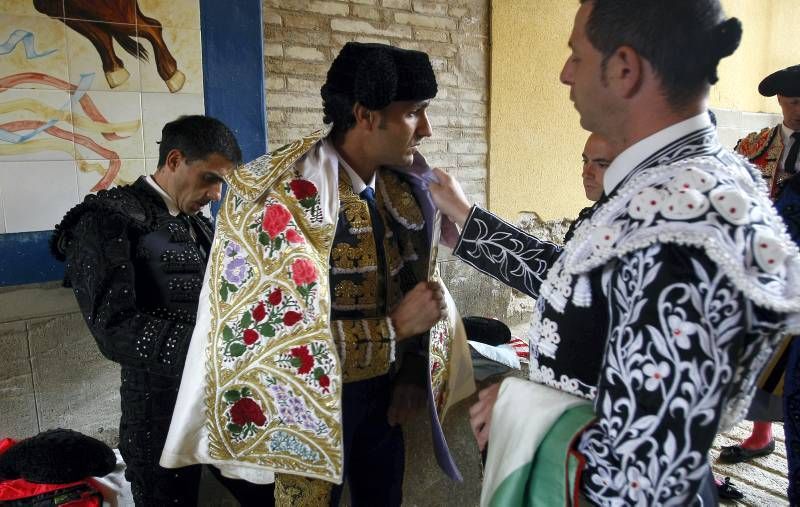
{"points": [[252, 179]]}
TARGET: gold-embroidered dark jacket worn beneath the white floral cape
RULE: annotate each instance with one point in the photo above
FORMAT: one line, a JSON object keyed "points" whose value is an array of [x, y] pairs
{"points": [[364, 290]]}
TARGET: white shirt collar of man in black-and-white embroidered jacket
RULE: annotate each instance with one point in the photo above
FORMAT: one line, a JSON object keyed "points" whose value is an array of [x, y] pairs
{"points": [[634, 155]]}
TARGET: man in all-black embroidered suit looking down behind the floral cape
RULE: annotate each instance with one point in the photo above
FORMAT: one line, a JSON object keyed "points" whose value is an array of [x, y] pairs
{"points": [[135, 257]]}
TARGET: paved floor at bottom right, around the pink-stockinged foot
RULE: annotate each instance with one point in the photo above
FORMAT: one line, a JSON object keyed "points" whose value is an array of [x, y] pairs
{"points": [[762, 480]]}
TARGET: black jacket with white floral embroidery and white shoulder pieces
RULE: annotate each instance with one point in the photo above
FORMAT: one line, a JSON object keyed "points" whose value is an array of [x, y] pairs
{"points": [[662, 309]]}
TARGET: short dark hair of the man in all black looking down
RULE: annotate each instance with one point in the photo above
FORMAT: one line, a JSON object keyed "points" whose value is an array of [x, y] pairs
{"points": [[197, 137]]}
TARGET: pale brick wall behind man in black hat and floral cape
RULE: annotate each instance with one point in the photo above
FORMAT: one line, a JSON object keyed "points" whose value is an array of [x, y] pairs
{"points": [[304, 36]]}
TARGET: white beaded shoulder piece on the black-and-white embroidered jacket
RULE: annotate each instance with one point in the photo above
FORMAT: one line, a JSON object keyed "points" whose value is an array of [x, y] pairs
{"points": [[717, 204]]}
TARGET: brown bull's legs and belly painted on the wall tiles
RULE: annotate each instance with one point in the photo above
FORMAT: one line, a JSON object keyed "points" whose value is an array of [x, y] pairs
{"points": [[103, 21]]}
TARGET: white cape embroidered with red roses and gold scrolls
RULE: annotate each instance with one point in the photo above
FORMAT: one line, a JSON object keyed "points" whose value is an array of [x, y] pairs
{"points": [[261, 392]]}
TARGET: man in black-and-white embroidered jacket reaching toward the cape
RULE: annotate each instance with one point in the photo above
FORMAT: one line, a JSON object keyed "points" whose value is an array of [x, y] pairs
{"points": [[669, 298]]}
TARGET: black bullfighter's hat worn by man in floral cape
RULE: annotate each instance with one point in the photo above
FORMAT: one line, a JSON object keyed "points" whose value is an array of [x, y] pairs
{"points": [[377, 74]]}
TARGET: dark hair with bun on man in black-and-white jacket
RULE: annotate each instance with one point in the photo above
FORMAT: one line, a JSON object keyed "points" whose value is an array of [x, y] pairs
{"points": [[683, 40]]}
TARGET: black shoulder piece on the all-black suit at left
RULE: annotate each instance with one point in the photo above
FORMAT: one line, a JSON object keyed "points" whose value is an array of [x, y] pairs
{"points": [[119, 201]]}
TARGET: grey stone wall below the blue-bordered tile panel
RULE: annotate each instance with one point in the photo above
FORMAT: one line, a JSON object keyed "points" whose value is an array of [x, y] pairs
{"points": [[51, 373]]}
